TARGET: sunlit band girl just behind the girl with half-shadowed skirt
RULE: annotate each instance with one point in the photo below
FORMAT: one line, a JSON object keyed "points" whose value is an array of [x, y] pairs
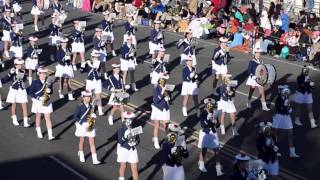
{"points": [[227, 92]]}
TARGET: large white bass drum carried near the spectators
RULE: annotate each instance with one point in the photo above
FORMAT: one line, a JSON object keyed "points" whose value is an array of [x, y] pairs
{"points": [[265, 74]]}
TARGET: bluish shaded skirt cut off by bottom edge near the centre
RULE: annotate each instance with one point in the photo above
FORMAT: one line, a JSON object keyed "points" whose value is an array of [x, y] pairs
{"points": [[173, 173]]}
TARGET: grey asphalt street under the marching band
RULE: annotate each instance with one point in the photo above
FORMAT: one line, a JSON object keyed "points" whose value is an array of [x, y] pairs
{"points": [[24, 156]]}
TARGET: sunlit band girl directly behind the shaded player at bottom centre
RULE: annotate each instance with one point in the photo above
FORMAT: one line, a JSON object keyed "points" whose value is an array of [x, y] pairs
{"points": [[160, 108]]}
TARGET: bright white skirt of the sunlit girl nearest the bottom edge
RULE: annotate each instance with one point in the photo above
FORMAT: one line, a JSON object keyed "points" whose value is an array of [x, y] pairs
{"points": [[125, 155]]}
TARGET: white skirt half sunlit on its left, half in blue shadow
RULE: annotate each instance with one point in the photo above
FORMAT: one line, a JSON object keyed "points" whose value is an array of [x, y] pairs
{"points": [[210, 140]]}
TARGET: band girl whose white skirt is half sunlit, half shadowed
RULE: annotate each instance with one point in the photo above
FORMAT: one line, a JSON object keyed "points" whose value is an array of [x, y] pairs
{"points": [[208, 136]]}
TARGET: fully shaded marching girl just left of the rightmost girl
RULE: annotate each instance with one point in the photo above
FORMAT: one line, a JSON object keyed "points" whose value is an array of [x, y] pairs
{"points": [[282, 119]]}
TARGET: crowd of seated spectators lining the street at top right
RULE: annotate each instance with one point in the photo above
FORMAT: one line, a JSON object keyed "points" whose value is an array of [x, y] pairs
{"points": [[271, 29]]}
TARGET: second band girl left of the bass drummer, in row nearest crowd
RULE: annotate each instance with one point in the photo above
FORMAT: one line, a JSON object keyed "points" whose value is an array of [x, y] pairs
{"points": [[188, 45]]}
